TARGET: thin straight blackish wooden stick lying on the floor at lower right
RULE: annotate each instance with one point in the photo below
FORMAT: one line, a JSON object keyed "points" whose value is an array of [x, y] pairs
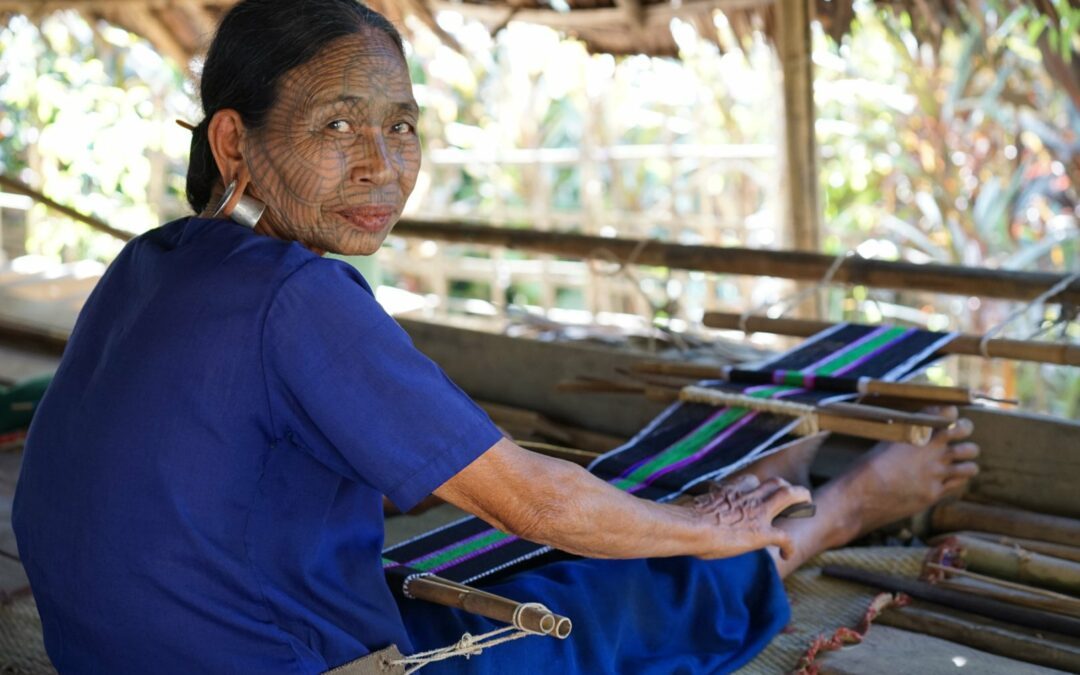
{"points": [[983, 606]]}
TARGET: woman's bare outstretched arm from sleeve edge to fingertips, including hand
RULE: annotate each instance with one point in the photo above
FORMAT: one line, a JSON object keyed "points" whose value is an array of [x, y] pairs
{"points": [[559, 504]]}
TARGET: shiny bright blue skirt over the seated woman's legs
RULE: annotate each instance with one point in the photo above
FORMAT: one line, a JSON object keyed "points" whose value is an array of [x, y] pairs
{"points": [[658, 616]]}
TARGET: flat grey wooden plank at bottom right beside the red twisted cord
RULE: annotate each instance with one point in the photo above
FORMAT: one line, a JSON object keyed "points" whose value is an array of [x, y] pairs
{"points": [[893, 652]]}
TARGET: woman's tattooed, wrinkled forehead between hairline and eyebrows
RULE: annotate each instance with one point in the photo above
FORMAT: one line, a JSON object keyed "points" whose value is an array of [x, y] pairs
{"points": [[364, 66]]}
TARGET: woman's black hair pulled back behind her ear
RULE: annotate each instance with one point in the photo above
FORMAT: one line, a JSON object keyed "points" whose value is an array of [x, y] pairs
{"points": [[258, 43]]}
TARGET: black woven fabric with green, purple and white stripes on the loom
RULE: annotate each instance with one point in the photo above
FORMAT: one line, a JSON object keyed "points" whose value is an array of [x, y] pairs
{"points": [[686, 444]]}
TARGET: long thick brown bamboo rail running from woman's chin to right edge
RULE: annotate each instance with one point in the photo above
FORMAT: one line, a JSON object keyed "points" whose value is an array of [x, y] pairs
{"points": [[752, 262]]}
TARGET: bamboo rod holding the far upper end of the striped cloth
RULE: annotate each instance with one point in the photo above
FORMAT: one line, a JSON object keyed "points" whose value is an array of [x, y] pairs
{"points": [[1020, 350]]}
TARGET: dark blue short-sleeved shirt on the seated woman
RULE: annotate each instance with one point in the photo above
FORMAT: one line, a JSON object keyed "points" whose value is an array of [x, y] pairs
{"points": [[202, 484]]}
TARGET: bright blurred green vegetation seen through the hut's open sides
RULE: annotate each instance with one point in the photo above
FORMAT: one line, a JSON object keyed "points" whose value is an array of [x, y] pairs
{"points": [[964, 152]]}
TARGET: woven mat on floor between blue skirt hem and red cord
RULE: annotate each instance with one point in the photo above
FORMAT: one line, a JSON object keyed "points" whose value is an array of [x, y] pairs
{"points": [[821, 605]]}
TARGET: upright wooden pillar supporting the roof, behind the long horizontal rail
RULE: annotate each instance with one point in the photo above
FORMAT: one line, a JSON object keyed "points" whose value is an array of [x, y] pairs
{"points": [[802, 214]]}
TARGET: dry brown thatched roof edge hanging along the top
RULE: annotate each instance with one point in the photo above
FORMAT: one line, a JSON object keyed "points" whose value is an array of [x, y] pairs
{"points": [[182, 29]]}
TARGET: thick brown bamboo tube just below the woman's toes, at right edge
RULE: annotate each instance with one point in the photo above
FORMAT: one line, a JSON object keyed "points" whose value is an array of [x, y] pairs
{"points": [[965, 516]]}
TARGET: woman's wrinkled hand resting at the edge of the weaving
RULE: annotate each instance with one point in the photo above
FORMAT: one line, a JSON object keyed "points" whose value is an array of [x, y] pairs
{"points": [[741, 514]]}
